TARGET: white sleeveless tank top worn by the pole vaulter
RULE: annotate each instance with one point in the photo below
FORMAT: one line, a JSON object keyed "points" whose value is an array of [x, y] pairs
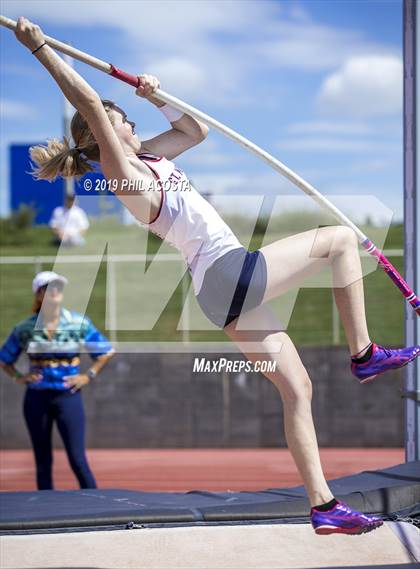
{"points": [[187, 221]]}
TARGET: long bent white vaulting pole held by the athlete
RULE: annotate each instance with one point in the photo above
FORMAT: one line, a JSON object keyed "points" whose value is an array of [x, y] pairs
{"points": [[133, 80]]}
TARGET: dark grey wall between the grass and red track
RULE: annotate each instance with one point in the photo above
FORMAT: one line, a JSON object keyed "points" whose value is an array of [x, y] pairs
{"points": [[156, 400]]}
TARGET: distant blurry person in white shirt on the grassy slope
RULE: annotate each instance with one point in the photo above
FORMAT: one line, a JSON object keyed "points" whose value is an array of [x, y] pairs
{"points": [[69, 223]]}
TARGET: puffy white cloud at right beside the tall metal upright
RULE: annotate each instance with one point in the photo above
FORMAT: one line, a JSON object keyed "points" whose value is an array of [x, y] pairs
{"points": [[364, 86]]}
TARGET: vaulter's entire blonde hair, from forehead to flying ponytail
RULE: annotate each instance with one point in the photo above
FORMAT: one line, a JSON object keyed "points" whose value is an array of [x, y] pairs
{"points": [[58, 158]]}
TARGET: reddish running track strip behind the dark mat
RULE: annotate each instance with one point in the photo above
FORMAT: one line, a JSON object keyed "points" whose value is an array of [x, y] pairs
{"points": [[181, 470]]}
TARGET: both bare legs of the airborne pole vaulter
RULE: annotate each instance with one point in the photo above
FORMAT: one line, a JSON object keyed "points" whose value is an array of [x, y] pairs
{"points": [[289, 262]]}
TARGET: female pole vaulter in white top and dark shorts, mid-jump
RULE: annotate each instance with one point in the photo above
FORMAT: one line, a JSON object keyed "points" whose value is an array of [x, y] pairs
{"points": [[228, 280]]}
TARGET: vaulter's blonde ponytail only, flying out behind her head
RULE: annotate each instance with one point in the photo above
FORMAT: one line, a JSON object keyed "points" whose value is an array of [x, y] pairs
{"points": [[58, 159]]}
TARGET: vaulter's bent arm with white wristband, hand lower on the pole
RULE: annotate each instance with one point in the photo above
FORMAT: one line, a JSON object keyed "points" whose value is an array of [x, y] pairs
{"points": [[185, 133]]}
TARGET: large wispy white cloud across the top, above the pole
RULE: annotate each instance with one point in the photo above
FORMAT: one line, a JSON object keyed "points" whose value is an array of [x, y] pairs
{"points": [[203, 61]]}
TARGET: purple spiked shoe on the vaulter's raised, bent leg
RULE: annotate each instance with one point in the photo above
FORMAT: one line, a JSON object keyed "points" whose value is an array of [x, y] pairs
{"points": [[382, 360]]}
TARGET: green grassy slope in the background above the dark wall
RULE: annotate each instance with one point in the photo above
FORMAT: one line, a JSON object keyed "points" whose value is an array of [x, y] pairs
{"points": [[311, 321]]}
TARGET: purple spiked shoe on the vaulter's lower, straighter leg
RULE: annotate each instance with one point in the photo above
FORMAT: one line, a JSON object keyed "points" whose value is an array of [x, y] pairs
{"points": [[342, 519]]}
